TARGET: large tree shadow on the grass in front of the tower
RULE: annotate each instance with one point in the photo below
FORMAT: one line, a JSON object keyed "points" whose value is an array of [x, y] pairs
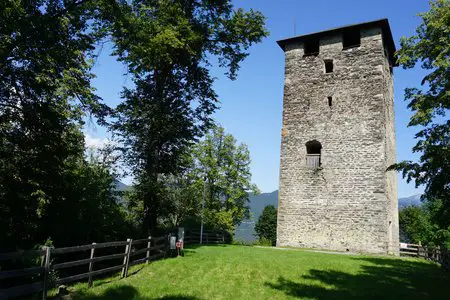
{"points": [[378, 278]]}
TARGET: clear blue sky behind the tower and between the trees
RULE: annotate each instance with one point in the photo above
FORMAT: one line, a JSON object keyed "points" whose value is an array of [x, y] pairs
{"points": [[251, 106]]}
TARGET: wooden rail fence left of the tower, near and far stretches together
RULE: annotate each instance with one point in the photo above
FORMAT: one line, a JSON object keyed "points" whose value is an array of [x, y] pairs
{"points": [[129, 253]]}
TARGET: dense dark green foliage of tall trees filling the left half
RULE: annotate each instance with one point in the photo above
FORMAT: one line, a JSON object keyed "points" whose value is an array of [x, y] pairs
{"points": [[48, 188]]}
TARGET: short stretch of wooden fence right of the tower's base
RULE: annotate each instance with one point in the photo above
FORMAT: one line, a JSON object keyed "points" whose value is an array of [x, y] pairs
{"points": [[440, 255]]}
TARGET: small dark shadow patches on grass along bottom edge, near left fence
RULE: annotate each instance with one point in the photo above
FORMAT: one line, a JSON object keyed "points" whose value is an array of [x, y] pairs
{"points": [[125, 292]]}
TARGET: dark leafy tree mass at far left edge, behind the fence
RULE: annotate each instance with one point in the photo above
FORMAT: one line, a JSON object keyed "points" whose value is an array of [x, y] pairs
{"points": [[46, 54]]}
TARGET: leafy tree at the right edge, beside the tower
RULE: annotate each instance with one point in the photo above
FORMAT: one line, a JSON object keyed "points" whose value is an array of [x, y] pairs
{"points": [[431, 48]]}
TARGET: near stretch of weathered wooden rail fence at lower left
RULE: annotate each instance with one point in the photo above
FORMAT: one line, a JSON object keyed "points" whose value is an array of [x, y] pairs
{"points": [[131, 249]]}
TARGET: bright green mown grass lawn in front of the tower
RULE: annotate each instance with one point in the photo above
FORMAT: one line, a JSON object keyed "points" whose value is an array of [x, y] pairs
{"points": [[240, 272]]}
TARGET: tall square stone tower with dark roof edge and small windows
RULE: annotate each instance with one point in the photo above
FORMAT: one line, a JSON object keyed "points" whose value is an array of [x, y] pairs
{"points": [[338, 138]]}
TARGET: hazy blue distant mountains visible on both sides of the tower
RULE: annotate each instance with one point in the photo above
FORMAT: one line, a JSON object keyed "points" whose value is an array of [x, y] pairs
{"points": [[246, 231]]}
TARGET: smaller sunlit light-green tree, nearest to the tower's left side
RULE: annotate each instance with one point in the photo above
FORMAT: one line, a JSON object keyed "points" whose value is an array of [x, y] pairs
{"points": [[224, 167]]}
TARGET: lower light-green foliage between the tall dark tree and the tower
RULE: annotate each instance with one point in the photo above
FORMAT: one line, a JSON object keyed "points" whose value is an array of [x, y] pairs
{"points": [[217, 169]]}
